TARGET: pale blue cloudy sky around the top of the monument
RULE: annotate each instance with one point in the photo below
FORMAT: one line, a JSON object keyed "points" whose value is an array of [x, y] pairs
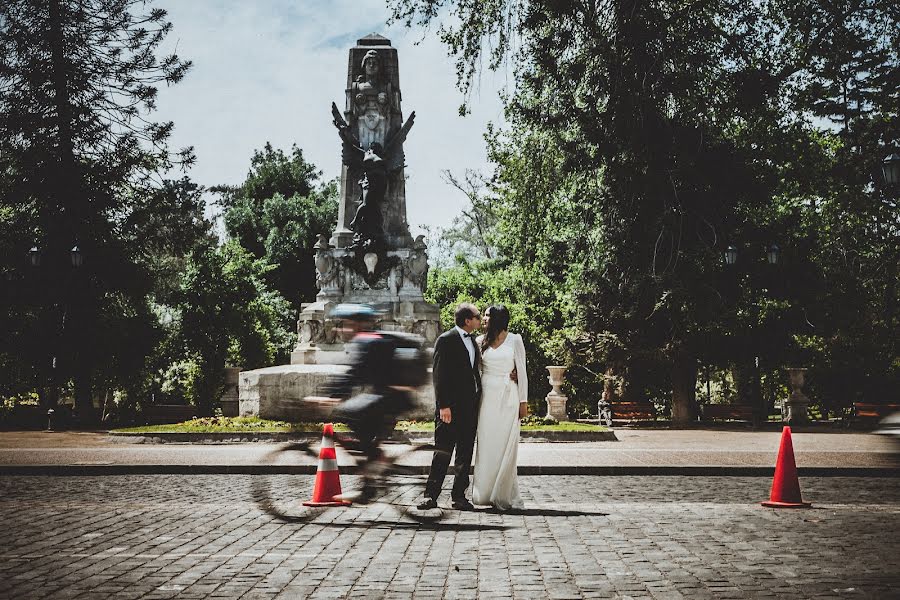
{"points": [[269, 70]]}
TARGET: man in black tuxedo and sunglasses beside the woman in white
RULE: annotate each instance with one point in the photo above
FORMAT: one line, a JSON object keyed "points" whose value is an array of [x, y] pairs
{"points": [[457, 392]]}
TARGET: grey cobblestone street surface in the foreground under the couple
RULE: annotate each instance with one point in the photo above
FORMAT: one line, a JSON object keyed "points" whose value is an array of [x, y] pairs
{"points": [[170, 536]]}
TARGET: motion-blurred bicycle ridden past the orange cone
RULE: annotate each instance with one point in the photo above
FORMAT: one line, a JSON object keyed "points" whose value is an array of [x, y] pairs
{"points": [[388, 491]]}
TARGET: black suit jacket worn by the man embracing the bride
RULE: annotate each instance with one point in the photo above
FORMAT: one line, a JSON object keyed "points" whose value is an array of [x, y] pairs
{"points": [[457, 384]]}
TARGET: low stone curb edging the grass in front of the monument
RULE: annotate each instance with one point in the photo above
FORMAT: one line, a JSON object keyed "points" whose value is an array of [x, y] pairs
{"points": [[400, 436]]}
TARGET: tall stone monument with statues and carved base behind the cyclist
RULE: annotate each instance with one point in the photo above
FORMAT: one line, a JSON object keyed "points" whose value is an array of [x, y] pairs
{"points": [[370, 257]]}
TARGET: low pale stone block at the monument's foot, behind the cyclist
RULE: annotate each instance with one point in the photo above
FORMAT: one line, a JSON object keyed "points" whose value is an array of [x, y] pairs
{"points": [[277, 392]]}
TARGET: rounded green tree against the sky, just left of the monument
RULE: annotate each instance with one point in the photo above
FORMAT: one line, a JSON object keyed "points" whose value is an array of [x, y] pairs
{"points": [[276, 214]]}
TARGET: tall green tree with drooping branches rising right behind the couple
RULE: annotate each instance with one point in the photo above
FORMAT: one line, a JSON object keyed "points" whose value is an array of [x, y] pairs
{"points": [[628, 96]]}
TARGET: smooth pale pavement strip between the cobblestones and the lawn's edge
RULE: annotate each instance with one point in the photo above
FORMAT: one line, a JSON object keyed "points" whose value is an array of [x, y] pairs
{"points": [[636, 448]]}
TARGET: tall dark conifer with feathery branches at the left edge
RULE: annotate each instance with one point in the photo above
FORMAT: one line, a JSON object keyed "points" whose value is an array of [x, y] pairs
{"points": [[77, 81]]}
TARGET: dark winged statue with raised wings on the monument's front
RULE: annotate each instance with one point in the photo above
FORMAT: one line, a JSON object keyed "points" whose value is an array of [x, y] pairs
{"points": [[375, 163]]}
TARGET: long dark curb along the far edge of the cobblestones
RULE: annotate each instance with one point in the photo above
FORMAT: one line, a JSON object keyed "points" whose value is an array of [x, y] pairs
{"points": [[680, 471]]}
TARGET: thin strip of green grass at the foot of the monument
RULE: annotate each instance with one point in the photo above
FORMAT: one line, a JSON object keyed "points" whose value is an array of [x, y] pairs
{"points": [[255, 424]]}
